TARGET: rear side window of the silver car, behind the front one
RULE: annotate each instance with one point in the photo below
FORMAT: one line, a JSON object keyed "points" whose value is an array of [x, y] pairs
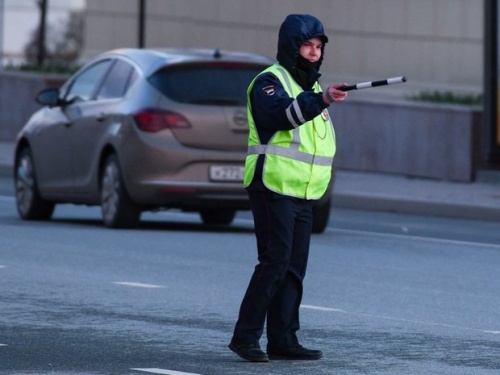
{"points": [[118, 81]]}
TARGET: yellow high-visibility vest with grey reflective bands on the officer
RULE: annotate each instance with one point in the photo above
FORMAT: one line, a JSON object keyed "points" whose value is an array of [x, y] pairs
{"points": [[298, 162]]}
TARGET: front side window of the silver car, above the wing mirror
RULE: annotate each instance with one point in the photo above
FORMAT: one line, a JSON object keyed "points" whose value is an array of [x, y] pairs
{"points": [[85, 84]]}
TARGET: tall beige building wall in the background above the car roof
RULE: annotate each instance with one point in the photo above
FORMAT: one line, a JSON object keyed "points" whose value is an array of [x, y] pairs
{"points": [[437, 44]]}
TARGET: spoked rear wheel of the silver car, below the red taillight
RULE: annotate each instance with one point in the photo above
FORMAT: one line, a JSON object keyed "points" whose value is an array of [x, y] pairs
{"points": [[118, 209]]}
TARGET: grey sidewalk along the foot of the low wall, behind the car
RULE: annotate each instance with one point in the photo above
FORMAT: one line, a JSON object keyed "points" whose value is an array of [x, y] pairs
{"points": [[385, 192]]}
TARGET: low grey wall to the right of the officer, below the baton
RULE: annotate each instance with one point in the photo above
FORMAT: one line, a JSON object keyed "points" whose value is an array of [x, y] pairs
{"points": [[414, 139]]}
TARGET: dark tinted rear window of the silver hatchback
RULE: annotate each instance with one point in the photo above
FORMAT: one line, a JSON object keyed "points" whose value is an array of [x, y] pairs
{"points": [[218, 83]]}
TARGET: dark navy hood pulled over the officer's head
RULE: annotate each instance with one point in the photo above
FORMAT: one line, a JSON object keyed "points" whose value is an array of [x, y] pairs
{"points": [[295, 30]]}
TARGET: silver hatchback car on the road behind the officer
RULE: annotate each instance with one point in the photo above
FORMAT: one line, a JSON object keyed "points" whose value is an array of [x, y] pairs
{"points": [[143, 129]]}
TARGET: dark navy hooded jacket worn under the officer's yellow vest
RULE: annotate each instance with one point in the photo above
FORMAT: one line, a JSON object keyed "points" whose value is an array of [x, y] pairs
{"points": [[268, 98]]}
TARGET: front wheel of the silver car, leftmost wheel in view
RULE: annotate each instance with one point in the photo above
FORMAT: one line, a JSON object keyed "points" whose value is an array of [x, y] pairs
{"points": [[30, 205]]}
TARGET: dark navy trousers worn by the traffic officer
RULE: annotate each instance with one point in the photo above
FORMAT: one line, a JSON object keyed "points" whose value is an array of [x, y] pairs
{"points": [[283, 230]]}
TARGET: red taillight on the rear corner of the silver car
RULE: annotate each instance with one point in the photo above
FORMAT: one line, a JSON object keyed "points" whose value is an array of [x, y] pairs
{"points": [[154, 120]]}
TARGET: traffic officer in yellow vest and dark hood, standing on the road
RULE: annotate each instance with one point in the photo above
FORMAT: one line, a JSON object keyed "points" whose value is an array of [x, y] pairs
{"points": [[291, 147]]}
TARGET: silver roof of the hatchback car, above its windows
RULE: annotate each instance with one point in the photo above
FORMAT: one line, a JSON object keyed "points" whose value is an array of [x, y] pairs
{"points": [[152, 59]]}
